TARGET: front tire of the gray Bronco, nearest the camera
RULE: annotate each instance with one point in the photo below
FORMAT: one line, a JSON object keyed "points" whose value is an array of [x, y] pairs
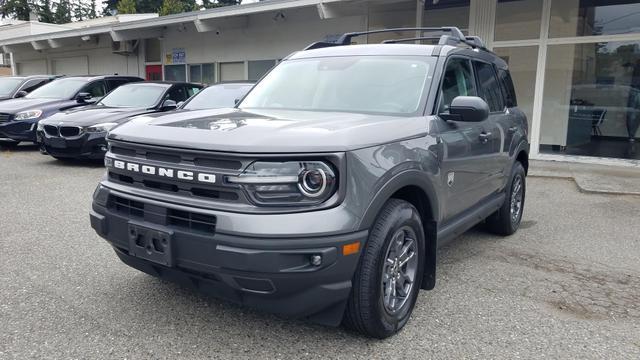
{"points": [[369, 311]]}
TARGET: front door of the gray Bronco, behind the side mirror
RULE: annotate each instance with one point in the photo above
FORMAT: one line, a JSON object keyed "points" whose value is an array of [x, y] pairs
{"points": [[465, 155]]}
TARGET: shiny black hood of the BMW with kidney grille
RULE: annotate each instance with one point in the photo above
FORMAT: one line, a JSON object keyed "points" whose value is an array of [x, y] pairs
{"points": [[93, 114]]}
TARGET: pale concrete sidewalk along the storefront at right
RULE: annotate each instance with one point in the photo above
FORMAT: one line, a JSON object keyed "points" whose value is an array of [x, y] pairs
{"points": [[601, 179]]}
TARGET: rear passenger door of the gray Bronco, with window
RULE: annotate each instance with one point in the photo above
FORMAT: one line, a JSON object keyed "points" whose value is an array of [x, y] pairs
{"points": [[493, 133]]}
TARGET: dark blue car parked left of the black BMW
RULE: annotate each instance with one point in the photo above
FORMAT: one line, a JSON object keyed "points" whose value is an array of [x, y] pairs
{"points": [[18, 117]]}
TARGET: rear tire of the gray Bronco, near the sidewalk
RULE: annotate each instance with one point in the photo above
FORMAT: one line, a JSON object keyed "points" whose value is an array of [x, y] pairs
{"points": [[503, 222]]}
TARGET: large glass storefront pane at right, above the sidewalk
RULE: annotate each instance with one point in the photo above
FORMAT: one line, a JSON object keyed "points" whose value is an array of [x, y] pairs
{"points": [[591, 100]]}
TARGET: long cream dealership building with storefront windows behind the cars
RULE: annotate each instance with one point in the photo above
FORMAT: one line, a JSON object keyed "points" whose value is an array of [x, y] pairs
{"points": [[575, 63]]}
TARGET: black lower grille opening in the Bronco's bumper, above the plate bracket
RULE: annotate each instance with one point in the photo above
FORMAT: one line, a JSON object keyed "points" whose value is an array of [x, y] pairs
{"points": [[180, 219]]}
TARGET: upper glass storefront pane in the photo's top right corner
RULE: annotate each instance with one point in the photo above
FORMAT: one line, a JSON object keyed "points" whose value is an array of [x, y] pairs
{"points": [[593, 17]]}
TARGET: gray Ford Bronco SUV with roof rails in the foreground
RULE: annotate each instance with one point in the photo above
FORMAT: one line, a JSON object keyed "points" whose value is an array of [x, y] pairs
{"points": [[325, 192]]}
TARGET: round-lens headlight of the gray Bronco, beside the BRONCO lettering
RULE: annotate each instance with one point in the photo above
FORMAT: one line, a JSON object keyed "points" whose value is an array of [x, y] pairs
{"points": [[289, 183]]}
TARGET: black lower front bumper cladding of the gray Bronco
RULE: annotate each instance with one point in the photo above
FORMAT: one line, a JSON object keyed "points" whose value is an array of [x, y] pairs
{"points": [[270, 274]]}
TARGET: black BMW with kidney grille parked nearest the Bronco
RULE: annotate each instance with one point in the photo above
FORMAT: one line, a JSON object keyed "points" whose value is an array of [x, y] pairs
{"points": [[80, 132]]}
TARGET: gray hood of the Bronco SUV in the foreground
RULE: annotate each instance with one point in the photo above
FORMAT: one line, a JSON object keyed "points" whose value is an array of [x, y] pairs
{"points": [[268, 131]]}
